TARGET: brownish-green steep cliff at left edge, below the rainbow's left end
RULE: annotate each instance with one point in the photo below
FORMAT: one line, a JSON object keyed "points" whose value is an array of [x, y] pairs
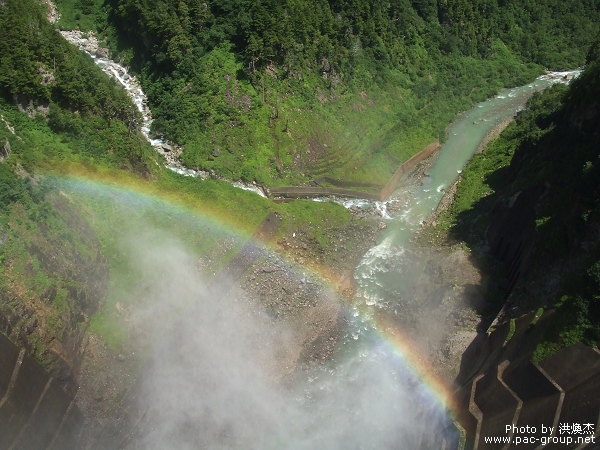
{"points": [[54, 273]]}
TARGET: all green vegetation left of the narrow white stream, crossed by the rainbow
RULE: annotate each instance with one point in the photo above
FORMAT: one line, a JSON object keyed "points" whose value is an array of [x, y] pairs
{"points": [[63, 267]]}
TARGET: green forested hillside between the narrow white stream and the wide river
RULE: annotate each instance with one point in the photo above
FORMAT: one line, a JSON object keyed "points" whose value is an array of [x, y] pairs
{"points": [[281, 91]]}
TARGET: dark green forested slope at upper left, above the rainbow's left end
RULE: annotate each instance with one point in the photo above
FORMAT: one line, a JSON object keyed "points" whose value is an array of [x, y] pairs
{"points": [[64, 90]]}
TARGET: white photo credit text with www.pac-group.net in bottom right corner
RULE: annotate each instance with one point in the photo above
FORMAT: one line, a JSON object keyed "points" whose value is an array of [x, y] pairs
{"points": [[565, 433]]}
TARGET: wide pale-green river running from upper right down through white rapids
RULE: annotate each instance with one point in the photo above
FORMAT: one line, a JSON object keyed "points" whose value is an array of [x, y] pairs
{"points": [[389, 274]]}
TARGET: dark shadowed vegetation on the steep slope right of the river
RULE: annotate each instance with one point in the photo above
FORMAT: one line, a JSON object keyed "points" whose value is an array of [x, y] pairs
{"points": [[554, 144]]}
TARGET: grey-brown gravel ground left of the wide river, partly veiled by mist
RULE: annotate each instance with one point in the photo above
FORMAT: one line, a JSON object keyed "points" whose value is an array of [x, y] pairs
{"points": [[286, 287]]}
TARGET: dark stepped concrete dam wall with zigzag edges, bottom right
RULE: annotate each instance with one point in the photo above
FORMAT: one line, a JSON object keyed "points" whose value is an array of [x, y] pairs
{"points": [[501, 386]]}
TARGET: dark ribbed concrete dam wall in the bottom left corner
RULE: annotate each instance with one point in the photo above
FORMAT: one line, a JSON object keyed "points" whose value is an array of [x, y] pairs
{"points": [[36, 411]]}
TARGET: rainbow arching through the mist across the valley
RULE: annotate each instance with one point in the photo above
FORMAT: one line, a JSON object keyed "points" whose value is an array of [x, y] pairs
{"points": [[140, 194]]}
